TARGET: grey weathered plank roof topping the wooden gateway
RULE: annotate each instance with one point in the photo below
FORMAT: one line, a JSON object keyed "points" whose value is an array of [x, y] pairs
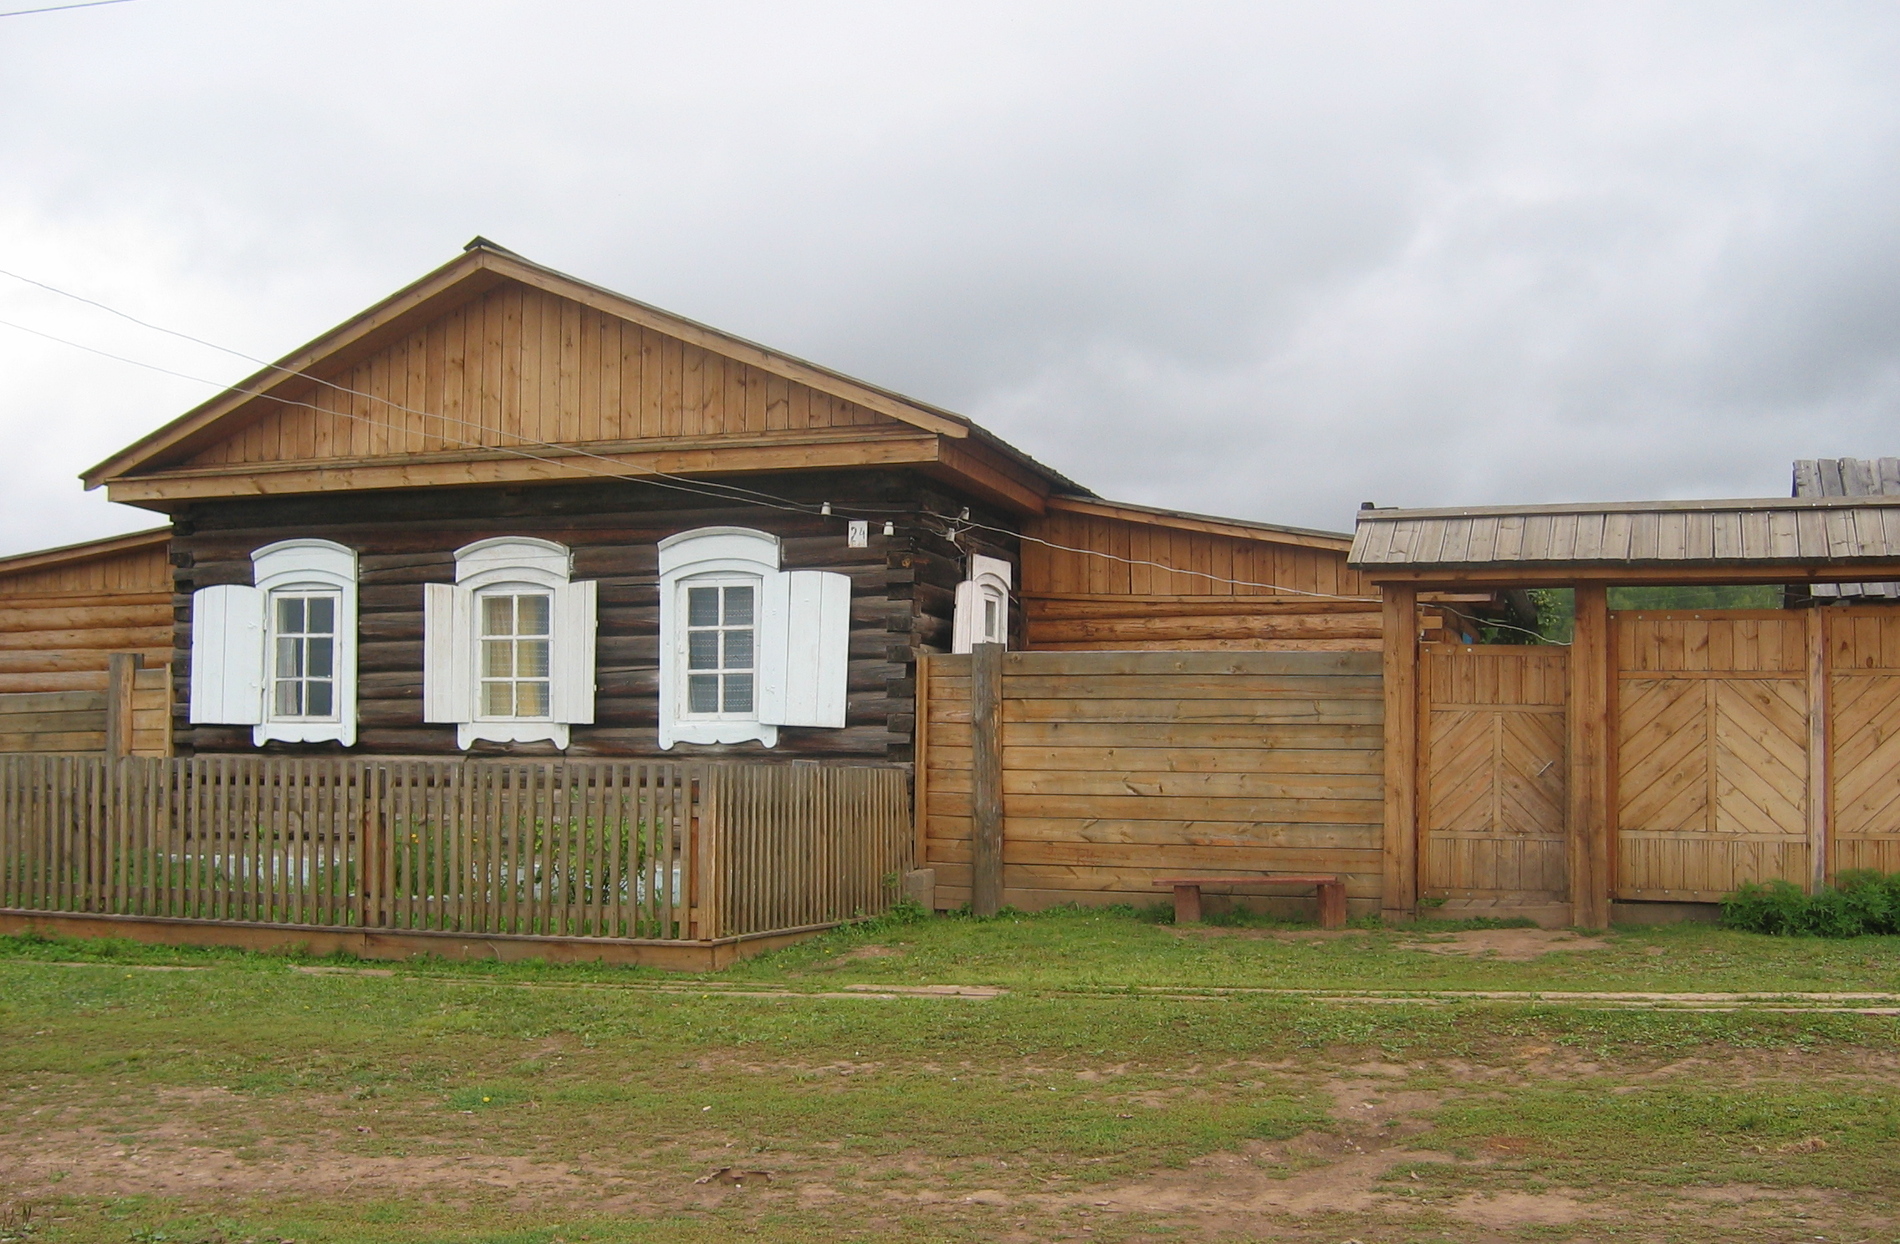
{"points": [[1762, 535]]}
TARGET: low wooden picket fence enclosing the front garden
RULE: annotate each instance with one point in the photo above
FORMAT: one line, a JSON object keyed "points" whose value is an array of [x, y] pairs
{"points": [[580, 850]]}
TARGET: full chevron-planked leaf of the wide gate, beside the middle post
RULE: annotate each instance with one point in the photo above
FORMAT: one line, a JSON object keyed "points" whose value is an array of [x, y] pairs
{"points": [[1713, 751]]}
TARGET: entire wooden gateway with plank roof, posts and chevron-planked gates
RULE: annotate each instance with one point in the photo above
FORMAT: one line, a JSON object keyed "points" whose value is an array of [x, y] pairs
{"points": [[1662, 755]]}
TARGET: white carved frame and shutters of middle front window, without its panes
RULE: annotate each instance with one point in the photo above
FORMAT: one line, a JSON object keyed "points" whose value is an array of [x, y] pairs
{"points": [[451, 679]]}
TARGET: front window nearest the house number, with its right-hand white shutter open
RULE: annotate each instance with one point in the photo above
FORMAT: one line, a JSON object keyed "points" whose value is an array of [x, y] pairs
{"points": [[746, 647]]}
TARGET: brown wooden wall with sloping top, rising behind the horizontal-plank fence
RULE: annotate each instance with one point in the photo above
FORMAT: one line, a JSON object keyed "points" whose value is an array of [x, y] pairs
{"points": [[1076, 601]]}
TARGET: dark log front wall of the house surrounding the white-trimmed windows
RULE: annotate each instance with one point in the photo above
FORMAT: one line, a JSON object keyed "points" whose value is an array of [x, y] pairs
{"points": [[902, 599]]}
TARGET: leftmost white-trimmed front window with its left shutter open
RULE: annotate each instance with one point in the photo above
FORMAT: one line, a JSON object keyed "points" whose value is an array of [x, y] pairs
{"points": [[280, 656]]}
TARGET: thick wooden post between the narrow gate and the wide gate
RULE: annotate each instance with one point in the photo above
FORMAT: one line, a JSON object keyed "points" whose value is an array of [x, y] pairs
{"points": [[1587, 801]]}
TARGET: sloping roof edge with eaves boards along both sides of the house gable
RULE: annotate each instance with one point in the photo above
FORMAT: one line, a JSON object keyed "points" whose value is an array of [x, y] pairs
{"points": [[480, 269]]}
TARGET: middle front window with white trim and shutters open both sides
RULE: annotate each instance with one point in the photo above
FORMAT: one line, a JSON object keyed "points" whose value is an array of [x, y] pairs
{"points": [[510, 645]]}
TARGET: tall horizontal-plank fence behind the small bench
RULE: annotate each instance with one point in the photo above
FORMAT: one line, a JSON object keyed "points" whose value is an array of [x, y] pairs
{"points": [[1122, 768]]}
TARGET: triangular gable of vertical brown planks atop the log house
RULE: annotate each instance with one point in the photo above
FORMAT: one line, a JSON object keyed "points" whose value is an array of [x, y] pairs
{"points": [[493, 352]]}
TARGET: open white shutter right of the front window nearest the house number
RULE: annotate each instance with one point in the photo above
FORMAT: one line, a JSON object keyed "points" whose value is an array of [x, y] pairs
{"points": [[805, 637]]}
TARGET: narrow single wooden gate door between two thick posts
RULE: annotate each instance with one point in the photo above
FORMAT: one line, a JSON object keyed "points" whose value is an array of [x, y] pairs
{"points": [[1492, 787]]}
